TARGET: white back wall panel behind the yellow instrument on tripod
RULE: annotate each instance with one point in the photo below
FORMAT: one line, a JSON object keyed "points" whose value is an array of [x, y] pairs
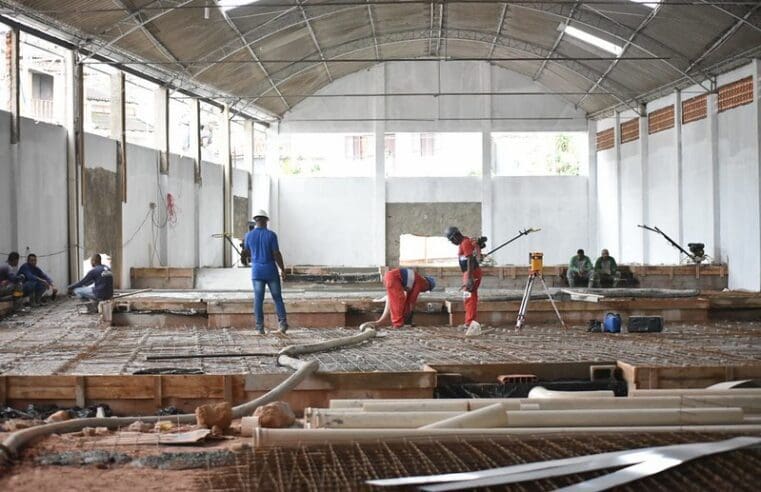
{"points": [[524, 202]]}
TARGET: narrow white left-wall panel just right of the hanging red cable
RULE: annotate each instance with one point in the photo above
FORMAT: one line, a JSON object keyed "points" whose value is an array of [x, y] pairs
{"points": [[210, 201]]}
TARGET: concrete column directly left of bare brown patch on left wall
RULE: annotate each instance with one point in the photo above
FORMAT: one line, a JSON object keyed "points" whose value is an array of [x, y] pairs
{"points": [[75, 158]]}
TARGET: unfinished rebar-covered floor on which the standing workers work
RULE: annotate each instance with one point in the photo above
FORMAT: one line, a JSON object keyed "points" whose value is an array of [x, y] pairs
{"points": [[55, 339]]}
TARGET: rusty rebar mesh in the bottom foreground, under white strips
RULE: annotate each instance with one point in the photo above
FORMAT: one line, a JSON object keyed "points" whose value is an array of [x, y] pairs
{"points": [[348, 466]]}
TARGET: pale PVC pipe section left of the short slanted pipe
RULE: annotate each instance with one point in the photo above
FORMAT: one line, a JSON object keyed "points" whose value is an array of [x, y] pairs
{"points": [[329, 419]]}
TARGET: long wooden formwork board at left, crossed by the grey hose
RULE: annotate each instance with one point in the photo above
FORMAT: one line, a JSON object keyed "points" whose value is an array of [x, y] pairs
{"points": [[147, 393]]}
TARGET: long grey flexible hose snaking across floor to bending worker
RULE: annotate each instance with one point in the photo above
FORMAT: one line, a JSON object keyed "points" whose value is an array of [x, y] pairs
{"points": [[13, 444]]}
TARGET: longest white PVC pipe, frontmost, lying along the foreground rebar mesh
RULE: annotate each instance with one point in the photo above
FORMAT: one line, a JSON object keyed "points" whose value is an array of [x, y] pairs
{"points": [[264, 437]]}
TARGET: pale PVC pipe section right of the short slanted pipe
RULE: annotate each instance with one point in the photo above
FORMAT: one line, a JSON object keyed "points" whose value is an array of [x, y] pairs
{"points": [[628, 417]]}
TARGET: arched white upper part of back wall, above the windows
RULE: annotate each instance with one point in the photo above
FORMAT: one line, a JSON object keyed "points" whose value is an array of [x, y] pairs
{"points": [[434, 114]]}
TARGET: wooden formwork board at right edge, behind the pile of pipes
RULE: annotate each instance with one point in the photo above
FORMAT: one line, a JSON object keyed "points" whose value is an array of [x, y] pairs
{"points": [[673, 377]]}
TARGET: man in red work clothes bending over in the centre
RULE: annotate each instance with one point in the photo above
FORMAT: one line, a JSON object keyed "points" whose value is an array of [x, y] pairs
{"points": [[403, 286]]}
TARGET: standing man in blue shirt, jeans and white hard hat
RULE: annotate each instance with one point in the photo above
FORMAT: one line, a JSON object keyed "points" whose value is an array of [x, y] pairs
{"points": [[265, 262]]}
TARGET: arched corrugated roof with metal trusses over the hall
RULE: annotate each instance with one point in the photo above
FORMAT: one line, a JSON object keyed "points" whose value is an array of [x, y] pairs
{"points": [[281, 33]]}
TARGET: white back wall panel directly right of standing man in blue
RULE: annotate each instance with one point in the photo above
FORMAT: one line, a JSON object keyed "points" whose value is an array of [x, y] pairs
{"points": [[325, 221]]}
